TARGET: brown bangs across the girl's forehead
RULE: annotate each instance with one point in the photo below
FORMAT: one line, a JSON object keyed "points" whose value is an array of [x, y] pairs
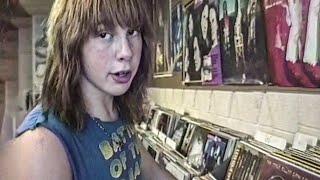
{"points": [[125, 13]]}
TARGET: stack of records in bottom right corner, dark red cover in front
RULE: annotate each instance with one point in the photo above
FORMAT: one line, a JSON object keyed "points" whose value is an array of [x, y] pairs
{"points": [[254, 160]]}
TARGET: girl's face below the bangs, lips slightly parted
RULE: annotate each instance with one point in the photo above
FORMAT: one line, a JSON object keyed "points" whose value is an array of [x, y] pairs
{"points": [[111, 59]]}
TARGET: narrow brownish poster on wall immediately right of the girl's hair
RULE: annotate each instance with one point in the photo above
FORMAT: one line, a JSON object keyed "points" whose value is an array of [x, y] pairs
{"points": [[163, 63]]}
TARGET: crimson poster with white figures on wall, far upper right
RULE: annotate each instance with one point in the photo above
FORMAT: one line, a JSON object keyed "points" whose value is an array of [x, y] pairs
{"points": [[291, 31]]}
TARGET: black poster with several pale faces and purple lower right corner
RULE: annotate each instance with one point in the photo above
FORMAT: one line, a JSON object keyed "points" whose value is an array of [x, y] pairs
{"points": [[201, 43]]}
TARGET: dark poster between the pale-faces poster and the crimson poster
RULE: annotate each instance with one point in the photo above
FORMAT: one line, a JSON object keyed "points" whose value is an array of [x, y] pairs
{"points": [[244, 56]]}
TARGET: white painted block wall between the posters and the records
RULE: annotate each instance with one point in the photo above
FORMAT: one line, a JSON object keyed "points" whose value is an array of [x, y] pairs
{"points": [[280, 114]]}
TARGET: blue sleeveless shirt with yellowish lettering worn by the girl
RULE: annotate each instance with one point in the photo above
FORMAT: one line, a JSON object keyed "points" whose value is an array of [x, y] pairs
{"points": [[92, 154]]}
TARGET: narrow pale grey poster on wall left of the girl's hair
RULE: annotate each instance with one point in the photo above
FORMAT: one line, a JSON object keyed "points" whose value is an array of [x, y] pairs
{"points": [[39, 50]]}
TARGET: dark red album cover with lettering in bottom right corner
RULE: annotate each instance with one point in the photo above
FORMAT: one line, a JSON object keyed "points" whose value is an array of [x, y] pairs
{"points": [[276, 169]]}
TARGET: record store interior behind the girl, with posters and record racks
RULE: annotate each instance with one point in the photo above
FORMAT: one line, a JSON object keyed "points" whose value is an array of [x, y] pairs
{"points": [[234, 93]]}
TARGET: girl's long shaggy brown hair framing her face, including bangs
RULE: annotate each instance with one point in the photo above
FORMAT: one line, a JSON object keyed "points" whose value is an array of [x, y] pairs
{"points": [[69, 25]]}
